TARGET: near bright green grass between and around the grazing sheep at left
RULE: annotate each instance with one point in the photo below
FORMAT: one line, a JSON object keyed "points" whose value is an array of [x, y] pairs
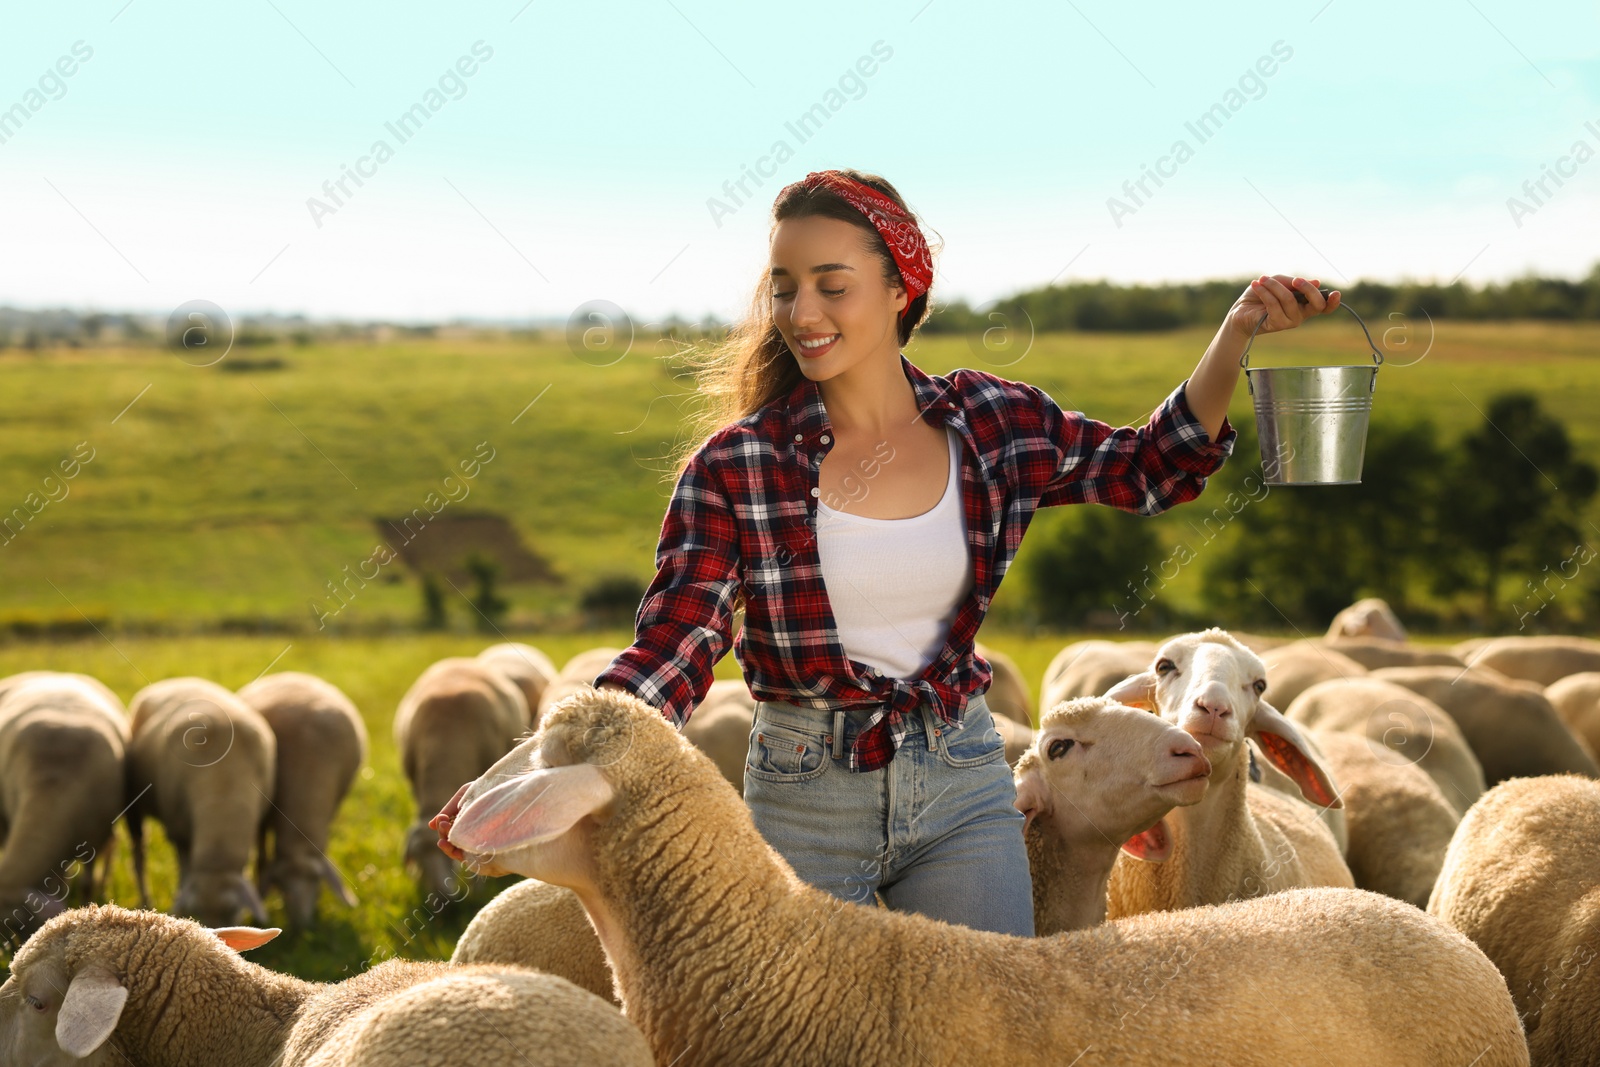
{"points": [[393, 916]]}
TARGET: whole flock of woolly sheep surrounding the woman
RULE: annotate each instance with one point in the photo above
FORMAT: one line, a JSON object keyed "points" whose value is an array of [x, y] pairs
{"points": [[1346, 850]]}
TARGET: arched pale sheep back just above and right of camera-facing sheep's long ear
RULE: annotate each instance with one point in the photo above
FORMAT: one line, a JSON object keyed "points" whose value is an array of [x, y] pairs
{"points": [[1410, 725]]}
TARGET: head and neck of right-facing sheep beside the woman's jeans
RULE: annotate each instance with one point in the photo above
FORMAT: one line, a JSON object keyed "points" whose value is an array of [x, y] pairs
{"points": [[1097, 780]]}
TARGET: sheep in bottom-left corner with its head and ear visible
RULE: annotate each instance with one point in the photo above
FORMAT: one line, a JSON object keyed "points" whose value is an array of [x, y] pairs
{"points": [[103, 985]]}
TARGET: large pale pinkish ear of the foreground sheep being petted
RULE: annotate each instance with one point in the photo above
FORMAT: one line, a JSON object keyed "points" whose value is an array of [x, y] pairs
{"points": [[532, 809]]}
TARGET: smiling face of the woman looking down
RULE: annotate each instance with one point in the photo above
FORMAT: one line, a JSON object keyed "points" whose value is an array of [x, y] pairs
{"points": [[828, 287]]}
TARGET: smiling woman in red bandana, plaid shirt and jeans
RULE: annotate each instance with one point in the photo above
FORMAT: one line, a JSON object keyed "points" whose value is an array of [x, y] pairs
{"points": [[862, 514]]}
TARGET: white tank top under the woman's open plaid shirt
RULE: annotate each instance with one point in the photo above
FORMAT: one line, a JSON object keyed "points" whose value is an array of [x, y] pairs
{"points": [[895, 585]]}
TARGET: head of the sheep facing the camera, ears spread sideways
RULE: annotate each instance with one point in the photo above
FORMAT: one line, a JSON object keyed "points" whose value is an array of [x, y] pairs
{"points": [[1210, 685]]}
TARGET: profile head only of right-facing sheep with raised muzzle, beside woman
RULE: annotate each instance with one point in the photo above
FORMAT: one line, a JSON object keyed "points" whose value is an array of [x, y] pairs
{"points": [[1100, 772]]}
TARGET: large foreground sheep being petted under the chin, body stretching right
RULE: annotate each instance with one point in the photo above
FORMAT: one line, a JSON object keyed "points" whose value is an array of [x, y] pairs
{"points": [[724, 956]]}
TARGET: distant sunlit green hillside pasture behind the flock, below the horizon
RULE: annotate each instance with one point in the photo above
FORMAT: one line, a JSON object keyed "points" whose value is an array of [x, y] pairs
{"points": [[236, 497]]}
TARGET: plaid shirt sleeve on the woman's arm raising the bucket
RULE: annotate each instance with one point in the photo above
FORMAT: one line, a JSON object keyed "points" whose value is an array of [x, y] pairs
{"points": [[1145, 471]]}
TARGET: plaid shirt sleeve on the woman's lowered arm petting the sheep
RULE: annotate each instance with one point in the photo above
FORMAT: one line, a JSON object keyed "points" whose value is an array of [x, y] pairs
{"points": [[686, 620]]}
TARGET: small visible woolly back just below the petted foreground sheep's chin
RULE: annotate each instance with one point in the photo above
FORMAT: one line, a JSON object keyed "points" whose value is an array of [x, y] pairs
{"points": [[540, 927]]}
